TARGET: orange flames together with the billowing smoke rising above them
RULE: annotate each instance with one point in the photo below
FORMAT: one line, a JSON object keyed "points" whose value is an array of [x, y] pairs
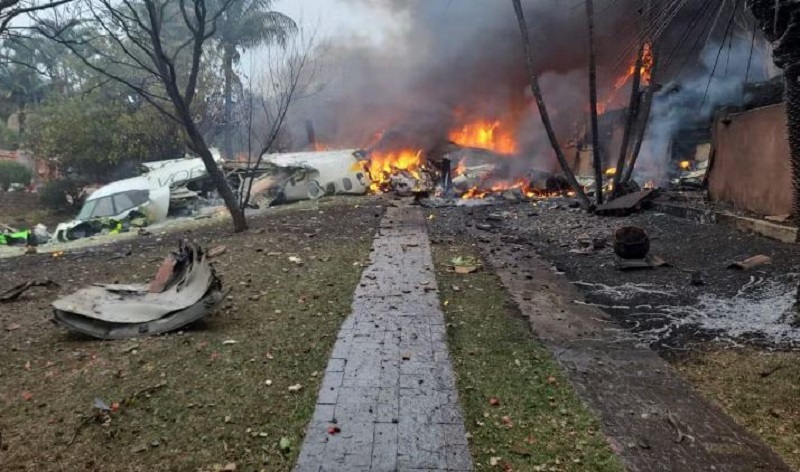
{"points": [[450, 95]]}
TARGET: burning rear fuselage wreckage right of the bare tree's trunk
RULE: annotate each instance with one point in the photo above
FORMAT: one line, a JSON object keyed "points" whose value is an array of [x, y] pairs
{"points": [[452, 174]]}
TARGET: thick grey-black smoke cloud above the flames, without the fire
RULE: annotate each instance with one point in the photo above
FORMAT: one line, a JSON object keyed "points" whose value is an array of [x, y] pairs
{"points": [[460, 60]]}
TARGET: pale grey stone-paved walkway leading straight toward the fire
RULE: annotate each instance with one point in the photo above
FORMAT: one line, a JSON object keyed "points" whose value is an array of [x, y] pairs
{"points": [[389, 385]]}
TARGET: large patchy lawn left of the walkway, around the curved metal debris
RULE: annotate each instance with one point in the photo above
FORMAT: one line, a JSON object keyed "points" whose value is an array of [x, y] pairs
{"points": [[225, 396]]}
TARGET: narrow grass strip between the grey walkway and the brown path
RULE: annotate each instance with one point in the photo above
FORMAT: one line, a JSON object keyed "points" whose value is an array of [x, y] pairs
{"points": [[520, 410]]}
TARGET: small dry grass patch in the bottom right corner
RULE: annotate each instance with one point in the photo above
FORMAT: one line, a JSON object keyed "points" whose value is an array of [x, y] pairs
{"points": [[760, 390]]}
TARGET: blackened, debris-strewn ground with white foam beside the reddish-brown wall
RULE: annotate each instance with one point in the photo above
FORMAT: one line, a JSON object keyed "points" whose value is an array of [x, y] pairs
{"points": [[696, 298]]}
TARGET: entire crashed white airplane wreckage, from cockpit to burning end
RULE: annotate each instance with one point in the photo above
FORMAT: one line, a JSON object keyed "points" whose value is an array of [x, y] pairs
{"points": [[181, 187]]}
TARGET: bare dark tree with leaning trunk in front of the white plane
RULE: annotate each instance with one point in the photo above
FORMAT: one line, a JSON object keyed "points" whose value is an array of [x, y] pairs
{"points": [[162, 48]]}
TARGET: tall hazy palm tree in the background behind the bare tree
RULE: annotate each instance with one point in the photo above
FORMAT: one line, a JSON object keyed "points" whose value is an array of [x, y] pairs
{"points": [[246, 24]]}
